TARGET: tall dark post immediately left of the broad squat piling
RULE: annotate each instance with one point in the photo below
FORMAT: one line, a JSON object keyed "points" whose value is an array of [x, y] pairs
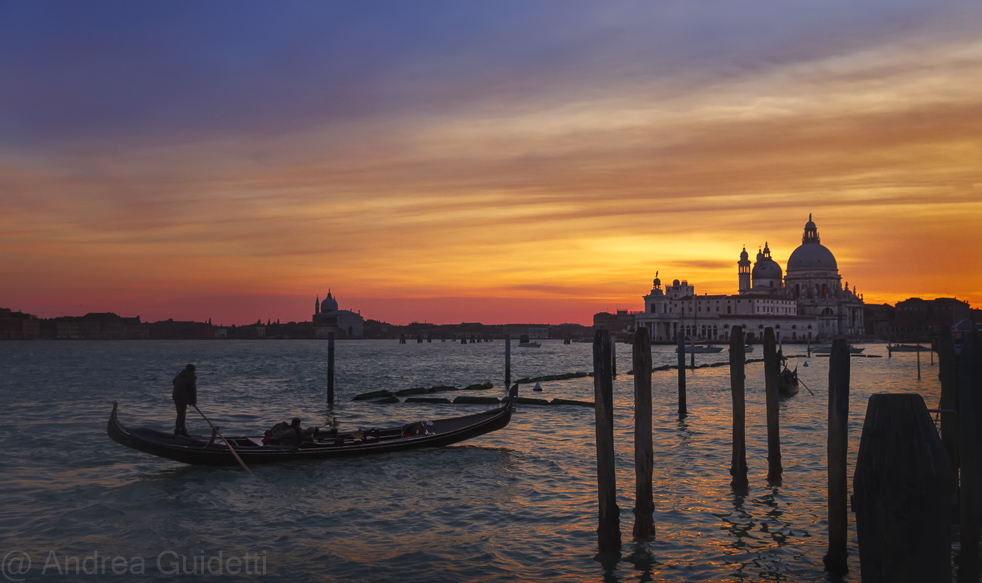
{"points": [[838, 442]]}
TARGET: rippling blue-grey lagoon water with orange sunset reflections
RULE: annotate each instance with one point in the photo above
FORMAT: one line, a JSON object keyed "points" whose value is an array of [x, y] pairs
{"points": [[519, 504]]}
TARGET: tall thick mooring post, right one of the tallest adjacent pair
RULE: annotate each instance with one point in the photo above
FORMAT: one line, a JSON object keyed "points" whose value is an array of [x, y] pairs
{"points": [[644, 506]]}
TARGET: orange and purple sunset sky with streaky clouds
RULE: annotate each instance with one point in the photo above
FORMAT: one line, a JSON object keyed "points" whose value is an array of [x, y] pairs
{"points": [[502, 162]]}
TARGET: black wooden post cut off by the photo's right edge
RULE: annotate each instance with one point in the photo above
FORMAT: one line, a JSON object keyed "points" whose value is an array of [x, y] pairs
{"points": [[969, 428]]}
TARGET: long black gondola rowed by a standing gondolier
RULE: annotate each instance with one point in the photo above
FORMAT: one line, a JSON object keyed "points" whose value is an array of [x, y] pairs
{"points": [[212, 451]]}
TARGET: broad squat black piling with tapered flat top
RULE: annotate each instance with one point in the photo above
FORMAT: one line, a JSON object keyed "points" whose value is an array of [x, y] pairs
{"points": [[902, 486]]}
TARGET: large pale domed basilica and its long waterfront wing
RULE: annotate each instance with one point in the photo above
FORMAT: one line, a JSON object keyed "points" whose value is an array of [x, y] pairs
{"points": [[807, 304]]}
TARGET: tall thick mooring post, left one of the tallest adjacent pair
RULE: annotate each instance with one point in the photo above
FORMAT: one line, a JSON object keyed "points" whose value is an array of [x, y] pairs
{"points": [[608, 532]]}
